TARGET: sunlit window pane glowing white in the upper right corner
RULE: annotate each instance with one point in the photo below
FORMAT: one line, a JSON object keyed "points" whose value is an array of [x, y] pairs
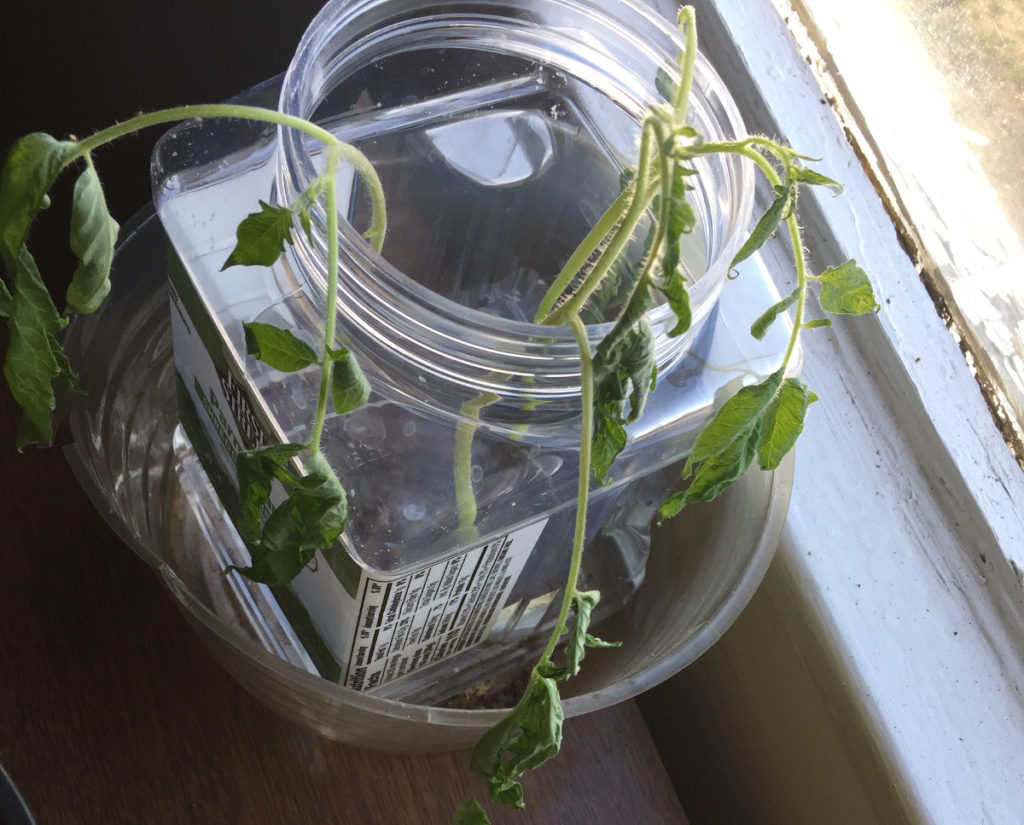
{"points": [[937, 89]]}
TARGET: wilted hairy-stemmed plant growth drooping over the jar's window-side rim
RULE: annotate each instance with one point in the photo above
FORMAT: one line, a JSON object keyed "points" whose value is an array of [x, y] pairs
{"points": [[760, 423]]}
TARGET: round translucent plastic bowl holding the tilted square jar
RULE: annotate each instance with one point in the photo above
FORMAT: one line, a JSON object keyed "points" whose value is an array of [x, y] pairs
{"points": [[704, 567]]}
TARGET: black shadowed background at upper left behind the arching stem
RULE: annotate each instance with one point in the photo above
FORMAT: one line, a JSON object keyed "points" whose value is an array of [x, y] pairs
{"points": [[76, 68]]}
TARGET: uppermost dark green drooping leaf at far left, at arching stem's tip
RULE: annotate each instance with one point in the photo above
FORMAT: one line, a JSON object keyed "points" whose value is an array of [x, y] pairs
{"points": [[29, 172]]}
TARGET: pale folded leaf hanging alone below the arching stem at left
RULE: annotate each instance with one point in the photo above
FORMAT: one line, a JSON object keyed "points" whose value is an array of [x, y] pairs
{"points": [[94, 237]]}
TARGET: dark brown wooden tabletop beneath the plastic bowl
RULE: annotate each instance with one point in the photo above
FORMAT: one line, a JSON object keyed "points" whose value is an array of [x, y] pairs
{"points": [[112, 712]]}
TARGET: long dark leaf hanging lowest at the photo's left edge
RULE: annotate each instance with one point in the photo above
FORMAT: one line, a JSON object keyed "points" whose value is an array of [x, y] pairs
{"points": [[35, 360]]}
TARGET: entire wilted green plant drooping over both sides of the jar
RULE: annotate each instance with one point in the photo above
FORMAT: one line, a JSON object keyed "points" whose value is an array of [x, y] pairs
{"points": [[760, 423]]}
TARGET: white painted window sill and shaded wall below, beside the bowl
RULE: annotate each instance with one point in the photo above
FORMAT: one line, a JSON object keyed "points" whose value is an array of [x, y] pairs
{"points": [[878, 675]]}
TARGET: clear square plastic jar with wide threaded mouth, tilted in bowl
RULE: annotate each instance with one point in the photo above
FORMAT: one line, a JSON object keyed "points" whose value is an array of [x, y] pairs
{"points": [[500, 132]]}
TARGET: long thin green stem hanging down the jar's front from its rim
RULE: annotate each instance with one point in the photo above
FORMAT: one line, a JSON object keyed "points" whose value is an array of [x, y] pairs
{"points": [[583, 485]]}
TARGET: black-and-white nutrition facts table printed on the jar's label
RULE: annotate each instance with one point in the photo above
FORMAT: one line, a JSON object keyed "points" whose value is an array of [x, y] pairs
{"points": [[410, 623]]}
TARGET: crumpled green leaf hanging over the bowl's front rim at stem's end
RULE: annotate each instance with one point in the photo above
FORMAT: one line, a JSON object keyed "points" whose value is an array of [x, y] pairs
{"points": [[527, 739]]}
